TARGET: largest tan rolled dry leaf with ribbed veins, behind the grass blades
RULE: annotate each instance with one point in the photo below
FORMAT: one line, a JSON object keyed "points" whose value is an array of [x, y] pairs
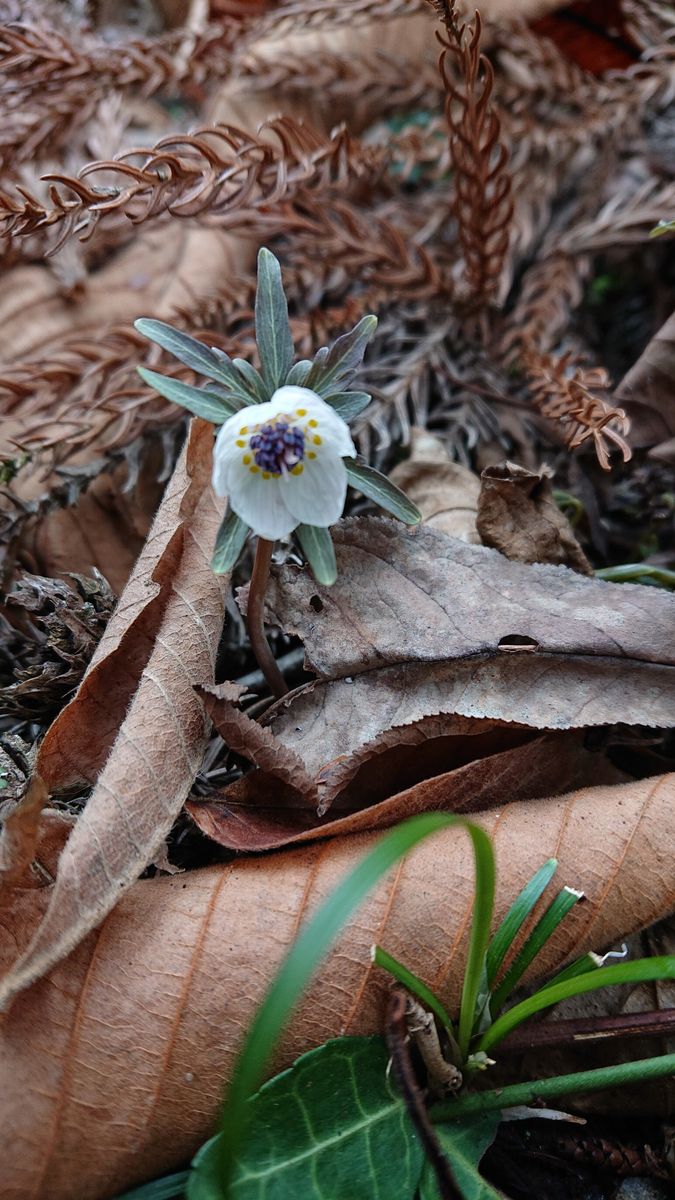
{"points": [[112, 1067]]}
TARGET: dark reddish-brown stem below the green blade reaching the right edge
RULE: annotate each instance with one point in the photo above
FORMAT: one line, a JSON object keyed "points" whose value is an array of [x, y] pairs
{"points": [[660, 1023]]}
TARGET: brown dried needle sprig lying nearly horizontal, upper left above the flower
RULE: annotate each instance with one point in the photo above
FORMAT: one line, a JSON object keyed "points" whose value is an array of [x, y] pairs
{"points": [[218, 175]]}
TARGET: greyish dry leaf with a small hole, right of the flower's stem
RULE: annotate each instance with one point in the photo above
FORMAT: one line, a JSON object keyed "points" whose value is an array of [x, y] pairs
{"points": [[461, 629]]}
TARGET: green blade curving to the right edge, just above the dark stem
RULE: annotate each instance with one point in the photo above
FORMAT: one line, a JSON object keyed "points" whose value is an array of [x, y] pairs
{"points": [[642, 971]]}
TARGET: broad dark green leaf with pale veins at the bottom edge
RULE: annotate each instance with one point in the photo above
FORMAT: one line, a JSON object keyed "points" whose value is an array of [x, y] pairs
{"points": [[330, 1129]]}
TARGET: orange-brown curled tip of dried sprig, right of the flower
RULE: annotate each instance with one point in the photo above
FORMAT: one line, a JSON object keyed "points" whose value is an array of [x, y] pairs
{"points": [[566, 393]]}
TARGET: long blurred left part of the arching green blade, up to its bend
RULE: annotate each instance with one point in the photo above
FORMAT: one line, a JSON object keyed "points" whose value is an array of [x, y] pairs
{"points": [[300, 967]]}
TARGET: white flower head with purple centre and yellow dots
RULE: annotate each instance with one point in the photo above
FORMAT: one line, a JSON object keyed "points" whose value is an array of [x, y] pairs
{"points": [[282, 463]]}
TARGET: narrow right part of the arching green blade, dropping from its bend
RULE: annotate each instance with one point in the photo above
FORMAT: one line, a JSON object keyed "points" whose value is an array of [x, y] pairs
{"points": [[481, 925]]}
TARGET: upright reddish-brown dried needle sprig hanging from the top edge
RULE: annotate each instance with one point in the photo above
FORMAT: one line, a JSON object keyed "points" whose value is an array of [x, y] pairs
{"points": [[482, 202]]}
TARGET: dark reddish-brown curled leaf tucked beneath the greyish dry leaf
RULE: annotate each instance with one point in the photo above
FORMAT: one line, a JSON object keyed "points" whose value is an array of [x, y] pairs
{"points": [[458, 765]]}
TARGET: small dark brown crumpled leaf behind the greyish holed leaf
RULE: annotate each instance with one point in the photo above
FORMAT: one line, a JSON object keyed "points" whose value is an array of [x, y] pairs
{"points": [[518, 517]]}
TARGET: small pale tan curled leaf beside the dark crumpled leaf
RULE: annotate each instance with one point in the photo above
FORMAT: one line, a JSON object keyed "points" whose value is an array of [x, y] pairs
{"points": [[445, 493]]}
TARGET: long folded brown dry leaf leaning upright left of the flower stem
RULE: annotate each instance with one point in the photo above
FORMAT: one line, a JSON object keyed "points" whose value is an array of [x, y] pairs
{"points": [[136, 728]]}
